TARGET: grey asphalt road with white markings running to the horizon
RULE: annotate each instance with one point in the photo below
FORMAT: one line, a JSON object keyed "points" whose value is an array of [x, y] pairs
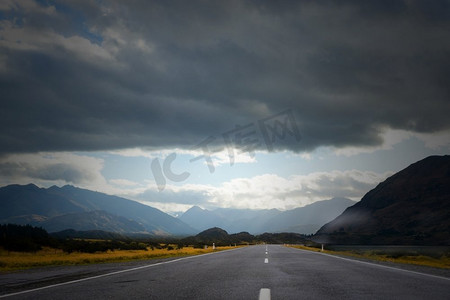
{"points": [[246, 273]]}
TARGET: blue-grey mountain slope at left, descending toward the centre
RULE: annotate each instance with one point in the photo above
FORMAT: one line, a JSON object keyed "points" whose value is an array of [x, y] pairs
{"points": [[68, 207]]}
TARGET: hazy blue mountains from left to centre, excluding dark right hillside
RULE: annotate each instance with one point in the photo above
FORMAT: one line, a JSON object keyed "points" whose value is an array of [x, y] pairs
{"points": [[60, 208]]}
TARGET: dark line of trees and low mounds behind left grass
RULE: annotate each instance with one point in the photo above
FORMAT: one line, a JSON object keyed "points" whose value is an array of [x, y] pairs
{"points": [[27, 238]]}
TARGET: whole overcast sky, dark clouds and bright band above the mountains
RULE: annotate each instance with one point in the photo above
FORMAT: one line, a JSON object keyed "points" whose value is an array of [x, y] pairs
{"points": [[249, 104]]}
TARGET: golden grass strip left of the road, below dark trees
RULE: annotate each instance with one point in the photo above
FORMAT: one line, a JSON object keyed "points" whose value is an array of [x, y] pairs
{"points": [[11, 261]]}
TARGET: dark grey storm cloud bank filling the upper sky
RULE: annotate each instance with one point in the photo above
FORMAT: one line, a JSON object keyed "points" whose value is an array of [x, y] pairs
{"points": [[80, 76]]}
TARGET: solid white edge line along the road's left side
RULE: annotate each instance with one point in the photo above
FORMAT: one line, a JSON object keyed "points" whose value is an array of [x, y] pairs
{"points": [[113, 273]]}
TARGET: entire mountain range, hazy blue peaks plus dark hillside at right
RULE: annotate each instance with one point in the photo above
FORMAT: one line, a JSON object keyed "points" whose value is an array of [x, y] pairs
{"points": [[410, 207]]}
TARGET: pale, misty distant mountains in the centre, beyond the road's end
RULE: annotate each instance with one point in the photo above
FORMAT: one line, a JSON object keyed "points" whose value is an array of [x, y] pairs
{"points": [[305, 220]]}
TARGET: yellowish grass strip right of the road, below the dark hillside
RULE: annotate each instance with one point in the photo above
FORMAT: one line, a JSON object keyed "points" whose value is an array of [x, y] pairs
{"points": [[404, 258]]}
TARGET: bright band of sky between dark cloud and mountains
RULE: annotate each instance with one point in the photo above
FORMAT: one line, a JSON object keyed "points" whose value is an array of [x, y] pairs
{"points": [[282, 180]]}
